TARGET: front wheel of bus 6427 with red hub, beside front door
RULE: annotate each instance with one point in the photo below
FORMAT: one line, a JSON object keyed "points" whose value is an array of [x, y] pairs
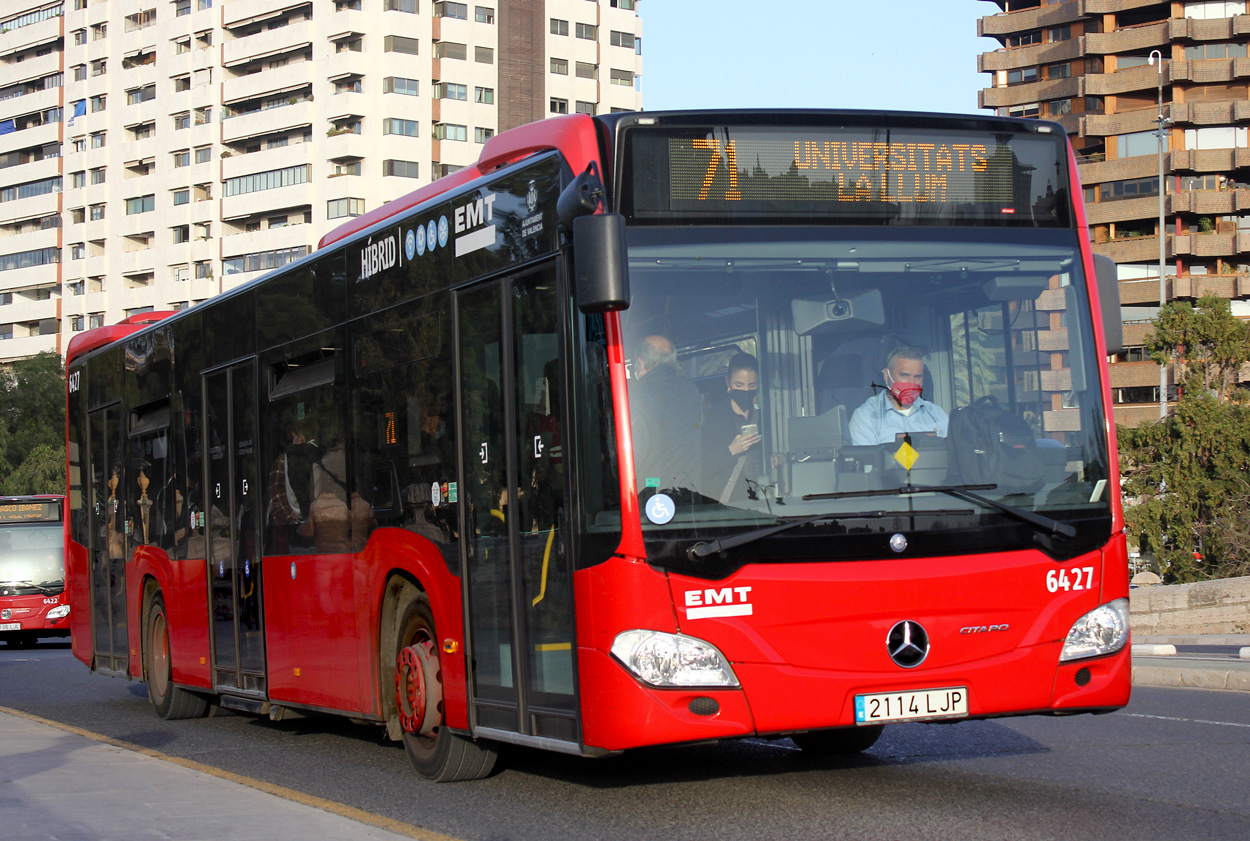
{"points": [[438, 754]]}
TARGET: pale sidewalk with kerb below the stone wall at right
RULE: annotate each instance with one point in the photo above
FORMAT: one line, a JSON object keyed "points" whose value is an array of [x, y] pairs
{"points": [[1223, 670]]}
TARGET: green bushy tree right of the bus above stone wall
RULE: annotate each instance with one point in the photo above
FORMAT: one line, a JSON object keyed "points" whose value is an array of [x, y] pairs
{"points": [[1187, 478]]}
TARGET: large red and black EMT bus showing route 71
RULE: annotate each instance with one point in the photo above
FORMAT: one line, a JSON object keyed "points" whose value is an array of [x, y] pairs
{"points": [[589, 447]]}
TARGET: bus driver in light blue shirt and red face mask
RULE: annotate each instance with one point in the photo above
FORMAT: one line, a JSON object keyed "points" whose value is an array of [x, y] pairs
{"points": [[899, 408]]}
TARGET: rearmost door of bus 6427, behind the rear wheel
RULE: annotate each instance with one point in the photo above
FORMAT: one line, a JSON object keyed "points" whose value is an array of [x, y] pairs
{"points": [[109, 538]]}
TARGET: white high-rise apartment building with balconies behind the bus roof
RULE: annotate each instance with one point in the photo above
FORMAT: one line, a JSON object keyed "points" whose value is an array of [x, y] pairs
{"points": [[157, 153]]}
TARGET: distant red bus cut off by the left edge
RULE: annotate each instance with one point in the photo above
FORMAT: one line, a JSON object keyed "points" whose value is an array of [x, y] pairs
{"points": [[33, 599]]}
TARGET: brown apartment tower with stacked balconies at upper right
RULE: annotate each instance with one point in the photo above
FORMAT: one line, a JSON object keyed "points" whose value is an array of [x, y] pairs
{"points": [[1099, 69]]}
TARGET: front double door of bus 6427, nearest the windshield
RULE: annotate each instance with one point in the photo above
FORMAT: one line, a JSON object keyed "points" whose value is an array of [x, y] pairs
{"points": [[518, 573]]}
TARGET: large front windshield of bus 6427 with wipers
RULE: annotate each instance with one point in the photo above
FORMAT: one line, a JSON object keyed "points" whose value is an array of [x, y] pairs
{"points": [[791, 349]]}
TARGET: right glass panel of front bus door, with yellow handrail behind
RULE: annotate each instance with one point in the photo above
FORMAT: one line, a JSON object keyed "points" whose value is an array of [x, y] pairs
{"points": [[546, 584]]}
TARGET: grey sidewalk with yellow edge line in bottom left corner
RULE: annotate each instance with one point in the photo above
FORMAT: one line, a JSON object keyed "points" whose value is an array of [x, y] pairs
{"points": [[59, 784]]}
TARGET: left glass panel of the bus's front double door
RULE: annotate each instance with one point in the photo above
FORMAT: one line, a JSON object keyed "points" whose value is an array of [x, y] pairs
{"points": [[487, 502]]}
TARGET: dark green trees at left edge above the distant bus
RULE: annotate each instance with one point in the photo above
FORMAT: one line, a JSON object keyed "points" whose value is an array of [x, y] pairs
{"points": [[33, 427]]}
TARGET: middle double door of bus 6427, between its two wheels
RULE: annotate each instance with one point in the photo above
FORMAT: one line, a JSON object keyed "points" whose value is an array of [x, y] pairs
{"points": [[234, 507]]}
